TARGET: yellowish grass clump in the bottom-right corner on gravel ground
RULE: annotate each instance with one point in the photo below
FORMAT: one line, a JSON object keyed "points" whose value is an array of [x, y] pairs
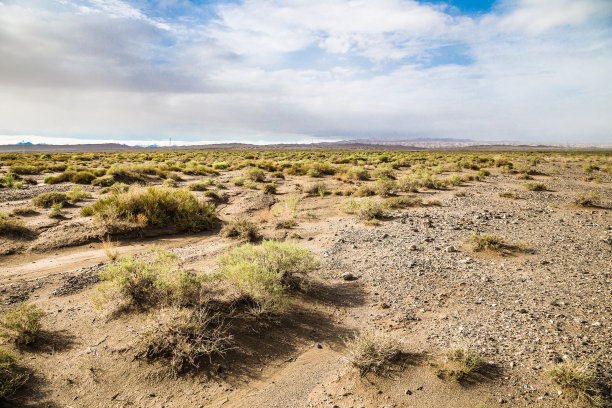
{"points": [[579, 380]]}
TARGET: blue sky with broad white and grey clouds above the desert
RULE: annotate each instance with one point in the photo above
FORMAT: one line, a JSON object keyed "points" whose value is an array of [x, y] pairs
{"points": [[271, 71]]}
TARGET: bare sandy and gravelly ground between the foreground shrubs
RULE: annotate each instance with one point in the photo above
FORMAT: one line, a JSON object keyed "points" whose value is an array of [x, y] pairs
{"points": [[414, 276]]}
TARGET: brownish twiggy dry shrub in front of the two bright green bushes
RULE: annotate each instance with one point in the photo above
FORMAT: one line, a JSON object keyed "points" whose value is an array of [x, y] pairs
{"points": [[184, 337]]}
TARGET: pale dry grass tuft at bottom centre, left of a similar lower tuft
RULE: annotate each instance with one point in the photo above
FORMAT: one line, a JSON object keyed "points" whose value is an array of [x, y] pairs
{"points": [[372, 351]]}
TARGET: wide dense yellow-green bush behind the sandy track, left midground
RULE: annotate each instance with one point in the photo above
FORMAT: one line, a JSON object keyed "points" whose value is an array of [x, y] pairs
{"points": [[156, 207]]}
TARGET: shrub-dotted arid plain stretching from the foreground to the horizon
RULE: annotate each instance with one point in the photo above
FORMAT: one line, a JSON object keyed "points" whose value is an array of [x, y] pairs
{"points": [[502, 257]]}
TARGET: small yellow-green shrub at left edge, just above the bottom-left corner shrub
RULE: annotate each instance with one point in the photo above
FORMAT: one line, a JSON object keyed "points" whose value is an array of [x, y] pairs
{"points": [[21, 325]]}
